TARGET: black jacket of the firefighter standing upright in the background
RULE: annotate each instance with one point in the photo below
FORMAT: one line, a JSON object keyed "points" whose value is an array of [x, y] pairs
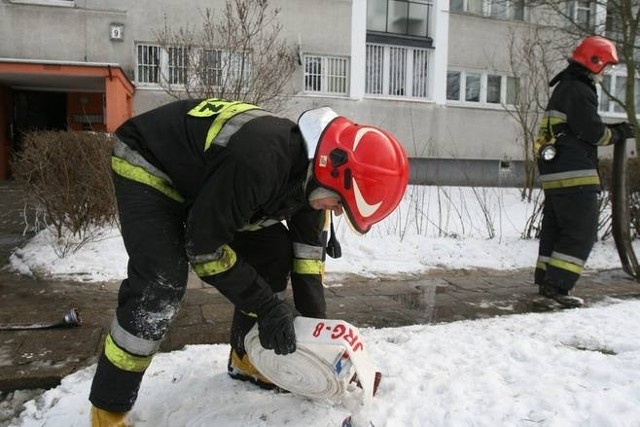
{"points": [[572, 116]]}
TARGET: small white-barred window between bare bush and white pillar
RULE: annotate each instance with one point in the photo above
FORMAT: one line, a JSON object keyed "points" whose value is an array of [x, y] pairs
{"points": [[326, 74]]}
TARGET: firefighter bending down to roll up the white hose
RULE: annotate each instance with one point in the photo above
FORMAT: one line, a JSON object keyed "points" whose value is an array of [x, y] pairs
{"points": [[208, 184]]}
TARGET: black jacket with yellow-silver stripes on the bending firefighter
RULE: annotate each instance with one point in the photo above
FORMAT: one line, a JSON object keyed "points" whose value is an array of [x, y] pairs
{"points": [[234, 167]]}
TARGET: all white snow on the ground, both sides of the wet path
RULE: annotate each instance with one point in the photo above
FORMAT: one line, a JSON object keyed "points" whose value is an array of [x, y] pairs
{"points": [[577, 367]]}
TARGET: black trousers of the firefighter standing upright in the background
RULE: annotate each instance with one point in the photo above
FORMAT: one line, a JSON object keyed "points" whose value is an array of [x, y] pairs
{"points": [[569, 231]]}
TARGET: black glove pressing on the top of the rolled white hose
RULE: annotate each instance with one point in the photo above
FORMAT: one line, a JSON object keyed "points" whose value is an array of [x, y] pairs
{"points": [[275, 326]]}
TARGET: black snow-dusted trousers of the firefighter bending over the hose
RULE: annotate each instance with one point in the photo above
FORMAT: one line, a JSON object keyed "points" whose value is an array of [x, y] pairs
{"points": [[152, 227]]}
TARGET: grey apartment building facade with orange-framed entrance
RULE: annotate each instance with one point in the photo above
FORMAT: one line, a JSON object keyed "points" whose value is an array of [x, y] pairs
{"points": [[435, 73]]}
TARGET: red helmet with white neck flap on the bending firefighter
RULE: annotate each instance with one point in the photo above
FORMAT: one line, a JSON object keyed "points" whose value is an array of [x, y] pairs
{"points": [[366, 166]]}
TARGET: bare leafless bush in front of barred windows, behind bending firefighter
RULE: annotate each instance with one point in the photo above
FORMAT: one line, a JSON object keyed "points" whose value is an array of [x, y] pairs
{"points": [[236, 53]]}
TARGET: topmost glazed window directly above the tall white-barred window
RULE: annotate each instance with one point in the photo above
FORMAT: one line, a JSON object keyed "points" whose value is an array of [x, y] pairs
{"points": [[403, 17]]}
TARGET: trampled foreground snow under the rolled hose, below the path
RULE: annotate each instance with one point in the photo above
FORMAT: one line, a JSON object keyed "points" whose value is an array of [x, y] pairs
{"points": [[571, 368]]}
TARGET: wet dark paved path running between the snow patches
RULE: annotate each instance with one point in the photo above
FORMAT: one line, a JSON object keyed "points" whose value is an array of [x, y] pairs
{"points": [[37, 359]]}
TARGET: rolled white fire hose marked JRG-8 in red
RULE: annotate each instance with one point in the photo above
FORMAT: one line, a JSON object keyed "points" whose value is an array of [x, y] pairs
{"points": [[329, 353]]}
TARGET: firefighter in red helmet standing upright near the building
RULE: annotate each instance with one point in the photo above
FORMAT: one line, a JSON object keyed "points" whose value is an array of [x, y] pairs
{"points": [[567, 155]]}
